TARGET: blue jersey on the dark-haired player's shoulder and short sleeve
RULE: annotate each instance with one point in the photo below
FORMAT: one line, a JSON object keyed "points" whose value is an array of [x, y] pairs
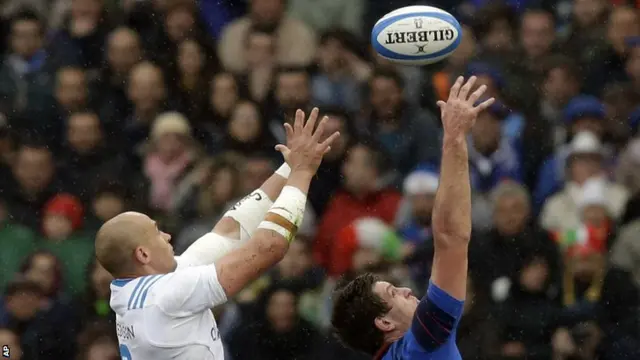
{"points": [[432, 335]]}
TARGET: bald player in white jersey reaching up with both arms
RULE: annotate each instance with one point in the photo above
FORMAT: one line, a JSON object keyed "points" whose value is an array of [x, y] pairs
{"points": [[162, 303]]}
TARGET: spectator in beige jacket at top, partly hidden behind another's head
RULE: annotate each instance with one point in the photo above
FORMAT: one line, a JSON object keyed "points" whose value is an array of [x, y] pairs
{"points": [[295, 41]]}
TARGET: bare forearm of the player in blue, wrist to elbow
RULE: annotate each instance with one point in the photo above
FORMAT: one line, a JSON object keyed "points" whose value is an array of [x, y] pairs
{"points": [[452, 209]]}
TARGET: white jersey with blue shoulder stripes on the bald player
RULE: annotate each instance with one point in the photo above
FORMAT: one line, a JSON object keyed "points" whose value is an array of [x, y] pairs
{"points": [[169, 316]]}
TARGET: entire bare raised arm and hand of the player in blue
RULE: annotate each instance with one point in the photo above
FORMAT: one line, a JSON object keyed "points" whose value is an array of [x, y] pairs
{"points": [[452, 208]]}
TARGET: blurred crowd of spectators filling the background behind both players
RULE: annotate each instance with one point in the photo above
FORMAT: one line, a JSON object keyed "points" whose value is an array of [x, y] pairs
{"points": [[172, 107]]}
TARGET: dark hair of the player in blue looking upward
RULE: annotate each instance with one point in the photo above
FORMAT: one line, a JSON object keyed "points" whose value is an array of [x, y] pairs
{"points": [[355, 309]]}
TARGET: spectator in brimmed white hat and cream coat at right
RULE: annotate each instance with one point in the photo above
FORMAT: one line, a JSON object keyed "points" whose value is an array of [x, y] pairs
{"points": [[585, 161]]}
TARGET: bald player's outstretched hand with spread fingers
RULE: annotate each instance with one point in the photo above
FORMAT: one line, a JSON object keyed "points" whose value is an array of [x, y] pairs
{"points": [[304, 150]]}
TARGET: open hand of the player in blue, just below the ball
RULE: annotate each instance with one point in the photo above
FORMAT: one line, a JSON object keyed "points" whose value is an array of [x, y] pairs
{"points": [[459, 112]]}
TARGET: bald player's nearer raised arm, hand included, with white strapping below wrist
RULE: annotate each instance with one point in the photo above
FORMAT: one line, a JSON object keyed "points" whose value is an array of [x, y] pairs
{"points": [[270, 242]]}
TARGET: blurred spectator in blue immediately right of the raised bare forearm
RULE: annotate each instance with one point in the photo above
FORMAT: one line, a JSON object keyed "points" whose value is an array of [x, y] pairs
{"points": [[492, 156]]}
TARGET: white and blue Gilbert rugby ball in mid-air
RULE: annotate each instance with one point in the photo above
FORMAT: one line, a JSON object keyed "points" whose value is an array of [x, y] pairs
{"points": [[416, 35]]}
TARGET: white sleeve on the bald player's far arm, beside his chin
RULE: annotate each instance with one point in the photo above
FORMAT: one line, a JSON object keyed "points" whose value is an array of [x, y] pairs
{"points": [[208, 249]]}
